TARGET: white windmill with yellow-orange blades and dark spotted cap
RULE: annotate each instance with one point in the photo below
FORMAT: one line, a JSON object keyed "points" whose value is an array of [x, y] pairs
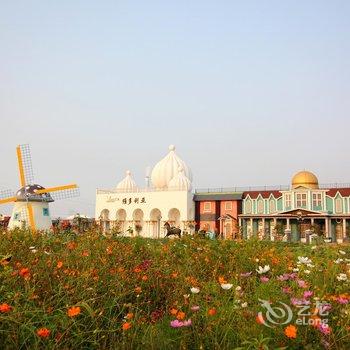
{"points": [[31, 201]]}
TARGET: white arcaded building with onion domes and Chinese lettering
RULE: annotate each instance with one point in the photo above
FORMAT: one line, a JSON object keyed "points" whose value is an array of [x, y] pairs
{"points": [[144, 211]]}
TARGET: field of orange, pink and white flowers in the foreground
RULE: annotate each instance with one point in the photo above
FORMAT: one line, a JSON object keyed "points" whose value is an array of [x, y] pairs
{"points": [[95, 292]]}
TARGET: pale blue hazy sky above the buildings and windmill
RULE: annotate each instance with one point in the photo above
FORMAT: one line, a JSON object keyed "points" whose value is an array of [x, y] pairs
{"points": [[249, 91]]}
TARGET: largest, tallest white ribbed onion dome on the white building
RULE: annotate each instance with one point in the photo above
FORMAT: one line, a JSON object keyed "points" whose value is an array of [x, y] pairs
{"points": [[167, 168]]}
